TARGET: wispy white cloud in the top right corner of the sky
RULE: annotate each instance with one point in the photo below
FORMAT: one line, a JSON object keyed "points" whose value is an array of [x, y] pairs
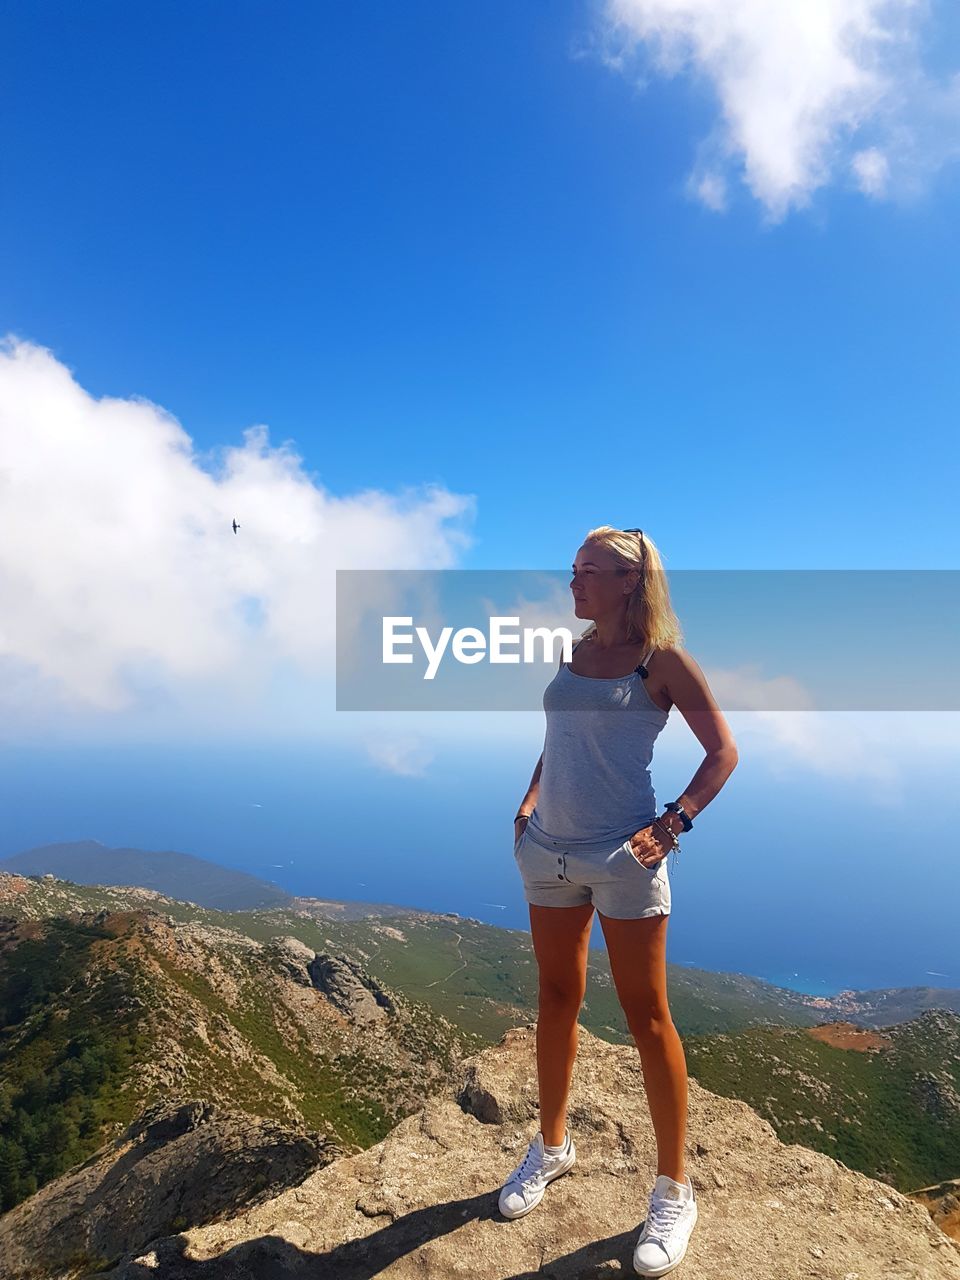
{"points": [[804, 92]]}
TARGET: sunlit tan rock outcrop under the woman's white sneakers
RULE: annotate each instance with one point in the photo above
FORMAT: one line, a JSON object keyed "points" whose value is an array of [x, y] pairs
{"points": [[423, 1203]]}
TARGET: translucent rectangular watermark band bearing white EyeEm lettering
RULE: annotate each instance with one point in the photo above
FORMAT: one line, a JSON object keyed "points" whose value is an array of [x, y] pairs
{"points": [[769, 641]]}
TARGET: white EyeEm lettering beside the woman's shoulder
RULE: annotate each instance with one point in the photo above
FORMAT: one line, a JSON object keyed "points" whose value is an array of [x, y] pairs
{"points": [[470, 646]]}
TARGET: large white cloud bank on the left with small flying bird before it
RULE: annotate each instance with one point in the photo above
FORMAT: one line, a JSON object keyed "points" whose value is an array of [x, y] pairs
{"points": [[126, 591]]}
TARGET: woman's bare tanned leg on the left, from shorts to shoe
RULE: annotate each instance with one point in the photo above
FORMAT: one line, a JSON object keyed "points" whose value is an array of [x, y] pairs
{"points": [[561, 943]]}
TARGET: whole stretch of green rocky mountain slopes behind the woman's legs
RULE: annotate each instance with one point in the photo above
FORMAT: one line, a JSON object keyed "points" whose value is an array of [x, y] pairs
{"points": [[344, 1021]]}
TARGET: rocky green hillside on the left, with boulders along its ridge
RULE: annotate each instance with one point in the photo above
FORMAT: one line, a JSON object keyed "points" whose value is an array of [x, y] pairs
{"points": [[106, 1014]]}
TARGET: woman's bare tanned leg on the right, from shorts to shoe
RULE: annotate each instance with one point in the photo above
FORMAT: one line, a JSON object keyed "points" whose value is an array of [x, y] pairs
{"points": [[638, 956]]}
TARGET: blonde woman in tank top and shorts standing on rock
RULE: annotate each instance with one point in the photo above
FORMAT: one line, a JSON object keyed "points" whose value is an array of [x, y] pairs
{"points": [[588, 835]]}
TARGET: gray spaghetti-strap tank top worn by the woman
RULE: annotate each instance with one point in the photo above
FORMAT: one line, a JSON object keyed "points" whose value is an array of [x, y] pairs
{"points": [[596, 787]]}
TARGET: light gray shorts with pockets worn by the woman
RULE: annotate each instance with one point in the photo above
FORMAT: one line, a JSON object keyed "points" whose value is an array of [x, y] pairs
{"points": [[614, 880]]}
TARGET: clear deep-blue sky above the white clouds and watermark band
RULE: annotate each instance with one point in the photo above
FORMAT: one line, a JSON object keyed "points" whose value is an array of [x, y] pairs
{"points": [[451, 234]]}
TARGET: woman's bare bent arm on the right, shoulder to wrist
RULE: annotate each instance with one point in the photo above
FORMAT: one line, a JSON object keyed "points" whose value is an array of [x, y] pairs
{"points": [[688, 689]]}
